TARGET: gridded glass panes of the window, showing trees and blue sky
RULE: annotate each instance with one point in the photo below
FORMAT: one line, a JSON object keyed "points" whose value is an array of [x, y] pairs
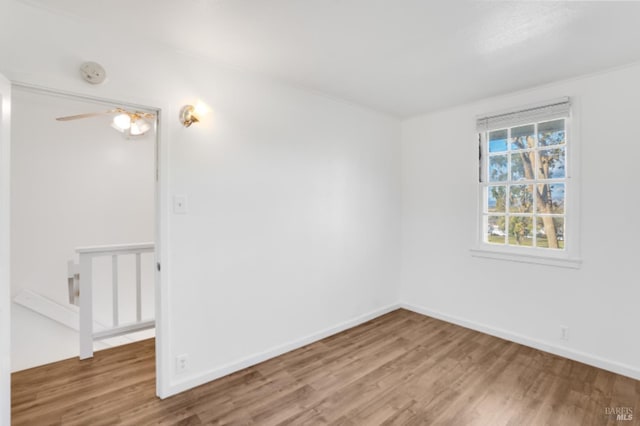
{"points": [[526, 167]]}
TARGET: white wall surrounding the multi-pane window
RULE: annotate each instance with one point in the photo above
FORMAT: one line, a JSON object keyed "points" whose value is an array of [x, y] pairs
{"points": [[529, 303]]}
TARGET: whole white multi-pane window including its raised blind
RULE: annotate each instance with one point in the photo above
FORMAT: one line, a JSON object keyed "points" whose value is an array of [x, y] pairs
{"points": [[524, 183]]}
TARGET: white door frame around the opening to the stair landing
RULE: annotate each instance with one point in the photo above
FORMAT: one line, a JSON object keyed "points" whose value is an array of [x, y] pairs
{"points": [[160, 231]]}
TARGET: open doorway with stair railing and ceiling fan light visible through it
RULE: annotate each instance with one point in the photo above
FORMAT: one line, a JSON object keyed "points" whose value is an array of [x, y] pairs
{"points": [[79, 186]]}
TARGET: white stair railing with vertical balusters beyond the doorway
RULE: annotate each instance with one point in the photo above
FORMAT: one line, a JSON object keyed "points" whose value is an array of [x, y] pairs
{"points": [[80, 282]]}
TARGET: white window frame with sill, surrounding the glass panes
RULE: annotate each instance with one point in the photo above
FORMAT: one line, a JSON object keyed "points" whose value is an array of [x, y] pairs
{"points": [[567, 257]]}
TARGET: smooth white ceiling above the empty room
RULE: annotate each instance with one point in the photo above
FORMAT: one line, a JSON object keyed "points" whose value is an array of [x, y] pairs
{"points": [[402, 57]]}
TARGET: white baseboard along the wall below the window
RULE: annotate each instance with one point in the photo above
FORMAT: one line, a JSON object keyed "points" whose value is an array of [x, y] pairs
{"points": [[585, 358]]}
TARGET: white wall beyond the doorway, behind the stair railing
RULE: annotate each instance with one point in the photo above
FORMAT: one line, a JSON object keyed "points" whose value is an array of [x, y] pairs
{"points": [[74, 184]]}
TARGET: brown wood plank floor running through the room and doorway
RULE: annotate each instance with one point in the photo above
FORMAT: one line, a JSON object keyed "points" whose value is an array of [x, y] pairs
{"points": [[399, 369]]}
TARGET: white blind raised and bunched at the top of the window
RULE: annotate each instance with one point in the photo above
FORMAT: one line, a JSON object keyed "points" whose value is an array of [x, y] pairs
{"points": [[559, 108]]}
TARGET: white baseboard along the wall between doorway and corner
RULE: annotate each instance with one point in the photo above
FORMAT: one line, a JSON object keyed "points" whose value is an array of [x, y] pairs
{"points": [[191, 382]]}
